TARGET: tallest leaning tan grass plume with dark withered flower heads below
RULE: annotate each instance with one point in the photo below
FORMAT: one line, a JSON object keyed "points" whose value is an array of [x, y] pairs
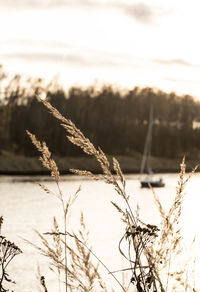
{"points": [[138, 242]]}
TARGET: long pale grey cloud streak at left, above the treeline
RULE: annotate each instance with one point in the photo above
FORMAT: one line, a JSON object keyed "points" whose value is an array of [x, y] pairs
{"points": [[62, 52]]}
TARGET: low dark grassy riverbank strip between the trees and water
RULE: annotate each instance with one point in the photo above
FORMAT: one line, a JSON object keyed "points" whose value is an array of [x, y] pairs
{"points": [[11, 164]]}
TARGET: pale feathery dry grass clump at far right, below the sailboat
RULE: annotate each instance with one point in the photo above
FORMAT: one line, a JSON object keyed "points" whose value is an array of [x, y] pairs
{"points": [[170, 246]]}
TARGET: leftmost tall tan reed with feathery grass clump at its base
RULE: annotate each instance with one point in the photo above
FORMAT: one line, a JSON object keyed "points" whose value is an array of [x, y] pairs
{"points": [[79, 270]]}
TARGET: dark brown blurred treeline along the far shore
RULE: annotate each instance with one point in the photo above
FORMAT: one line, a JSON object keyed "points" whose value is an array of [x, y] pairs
{"points": [[115, 120]]}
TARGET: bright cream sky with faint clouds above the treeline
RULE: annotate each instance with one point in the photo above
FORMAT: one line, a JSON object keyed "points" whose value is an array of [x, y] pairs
{"points": [[125, 43]]}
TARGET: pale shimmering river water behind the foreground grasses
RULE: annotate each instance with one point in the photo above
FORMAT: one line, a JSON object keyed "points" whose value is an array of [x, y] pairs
{"points": [[26, 207]]}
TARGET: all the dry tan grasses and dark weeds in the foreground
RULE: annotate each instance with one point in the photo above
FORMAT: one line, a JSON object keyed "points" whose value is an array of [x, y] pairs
{"points": [[152, 253]]}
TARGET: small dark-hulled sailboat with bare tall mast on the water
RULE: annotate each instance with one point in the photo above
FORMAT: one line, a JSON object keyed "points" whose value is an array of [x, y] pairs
{"points": [[150, 179]]}
